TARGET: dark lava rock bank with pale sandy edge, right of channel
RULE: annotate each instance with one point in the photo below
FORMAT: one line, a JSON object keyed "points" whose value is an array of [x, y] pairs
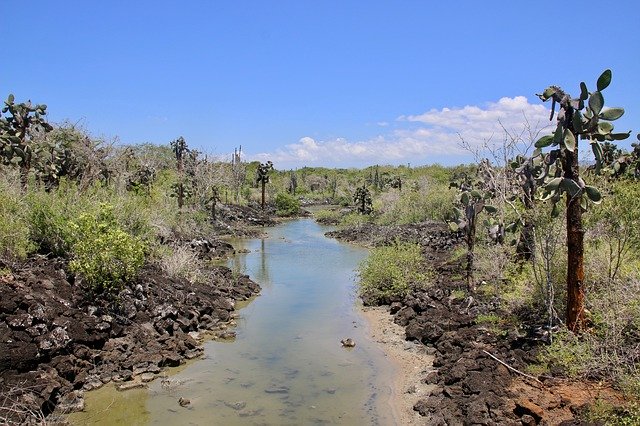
{"points": [[476, 377]]}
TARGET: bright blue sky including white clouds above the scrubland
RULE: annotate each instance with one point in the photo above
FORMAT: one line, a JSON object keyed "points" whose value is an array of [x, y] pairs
{"points": [[334, 83]]}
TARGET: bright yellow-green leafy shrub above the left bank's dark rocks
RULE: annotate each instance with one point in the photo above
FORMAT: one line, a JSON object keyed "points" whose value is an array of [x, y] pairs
{"points": [[104, 255]]}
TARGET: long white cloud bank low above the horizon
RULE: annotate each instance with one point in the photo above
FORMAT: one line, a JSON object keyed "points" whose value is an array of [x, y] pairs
{"points": [[433, 136]]}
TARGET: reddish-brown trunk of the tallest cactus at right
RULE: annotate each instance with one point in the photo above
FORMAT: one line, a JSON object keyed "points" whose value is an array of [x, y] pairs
{"points": [[575, 249]]}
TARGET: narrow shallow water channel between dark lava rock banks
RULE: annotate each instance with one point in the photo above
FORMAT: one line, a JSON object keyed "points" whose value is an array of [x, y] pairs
{"points": [[286, 365]]}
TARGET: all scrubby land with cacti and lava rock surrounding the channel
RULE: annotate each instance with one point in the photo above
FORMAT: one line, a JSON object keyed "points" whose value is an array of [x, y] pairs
{"points": [[519, 273]]}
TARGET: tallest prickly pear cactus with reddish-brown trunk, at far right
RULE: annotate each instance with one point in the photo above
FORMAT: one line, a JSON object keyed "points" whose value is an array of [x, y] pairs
{"points": [[581, 118]]}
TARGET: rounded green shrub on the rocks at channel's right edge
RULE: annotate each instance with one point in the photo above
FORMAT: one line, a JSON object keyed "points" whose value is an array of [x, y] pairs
{"points": [[390, 272]]}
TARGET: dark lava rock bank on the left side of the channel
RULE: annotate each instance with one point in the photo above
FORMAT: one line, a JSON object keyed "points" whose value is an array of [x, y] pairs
{"points": [[57, 343]]}
